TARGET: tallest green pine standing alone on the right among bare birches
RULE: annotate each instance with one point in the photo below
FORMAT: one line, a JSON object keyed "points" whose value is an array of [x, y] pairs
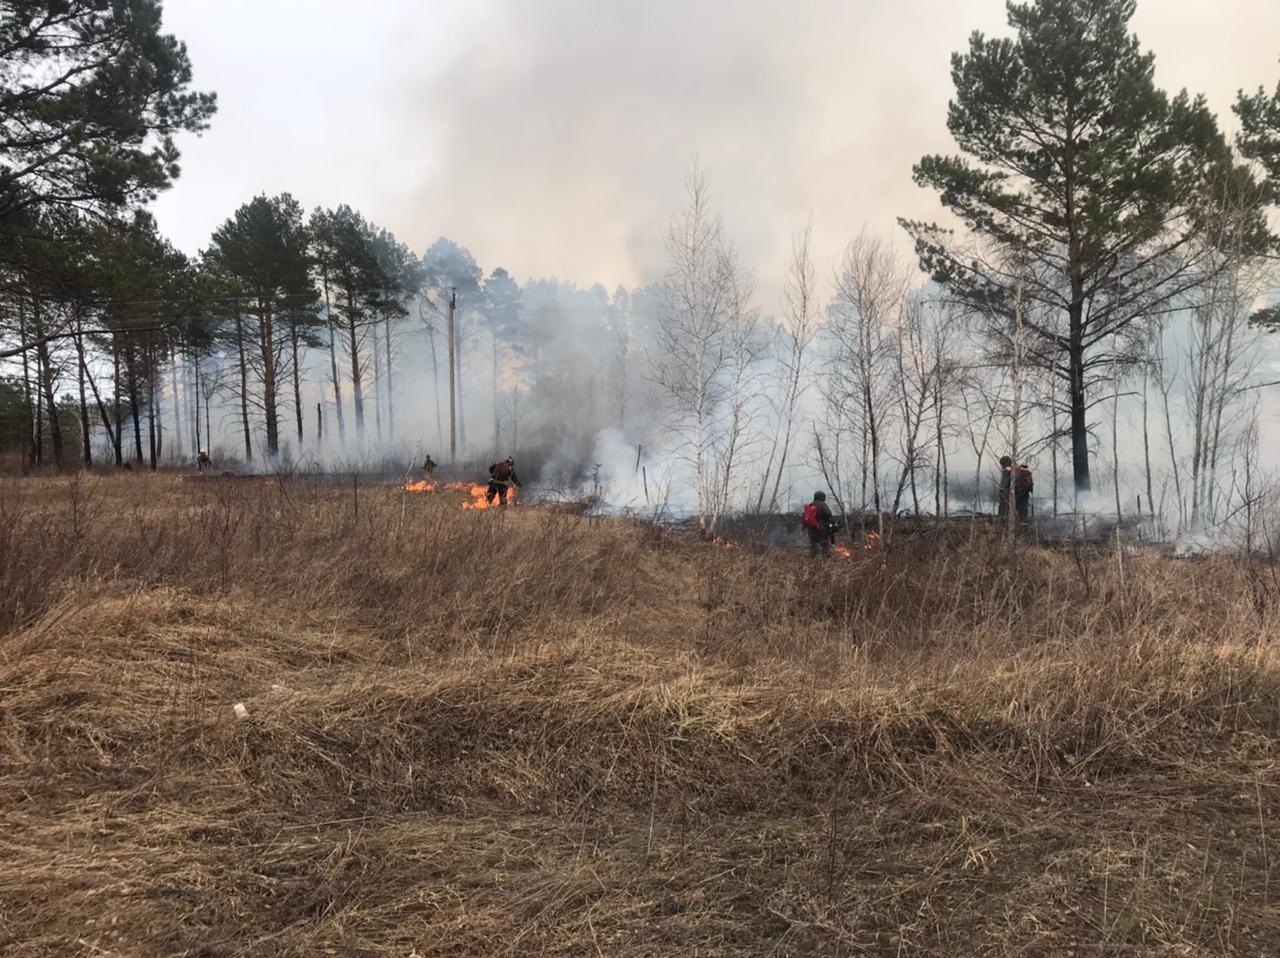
{"points": [[1084, 184]]}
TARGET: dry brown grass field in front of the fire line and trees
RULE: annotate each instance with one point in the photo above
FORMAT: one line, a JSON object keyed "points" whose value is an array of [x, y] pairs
{"points": [[531, 733]]}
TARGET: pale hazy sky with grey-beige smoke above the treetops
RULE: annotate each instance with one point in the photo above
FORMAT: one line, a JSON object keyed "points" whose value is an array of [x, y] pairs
{"points": [[552, 136]]}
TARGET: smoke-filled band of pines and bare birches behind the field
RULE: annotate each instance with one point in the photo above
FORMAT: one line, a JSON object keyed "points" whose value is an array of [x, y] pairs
{"points": [[324, 340]]}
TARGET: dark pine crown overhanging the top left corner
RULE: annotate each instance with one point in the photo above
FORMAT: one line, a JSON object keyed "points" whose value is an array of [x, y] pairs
{"points": [[92, 97]]}
